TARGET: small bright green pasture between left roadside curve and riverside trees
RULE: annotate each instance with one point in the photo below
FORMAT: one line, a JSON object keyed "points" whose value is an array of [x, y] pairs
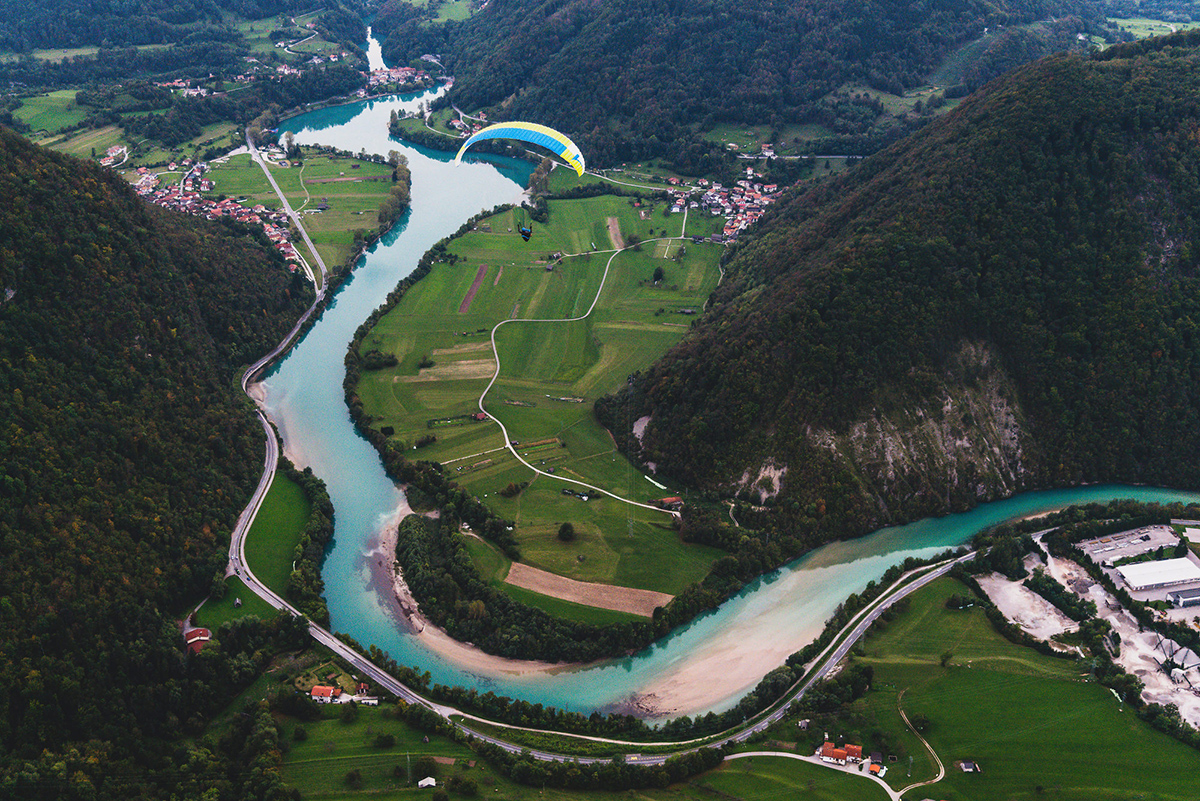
{"points": [[277, 532]]}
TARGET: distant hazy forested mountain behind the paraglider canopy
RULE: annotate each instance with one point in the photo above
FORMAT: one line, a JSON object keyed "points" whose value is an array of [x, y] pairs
{"points": [[628, 79]]}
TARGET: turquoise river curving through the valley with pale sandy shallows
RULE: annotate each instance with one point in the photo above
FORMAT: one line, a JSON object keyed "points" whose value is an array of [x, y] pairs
{"points": [[707, 665]]}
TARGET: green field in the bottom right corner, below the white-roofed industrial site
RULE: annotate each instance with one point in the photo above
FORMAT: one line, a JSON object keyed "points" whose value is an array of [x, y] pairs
{"points": [[1037, 727]]}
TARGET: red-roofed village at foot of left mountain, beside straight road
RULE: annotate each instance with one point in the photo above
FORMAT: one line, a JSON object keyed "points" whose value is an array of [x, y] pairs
{"points": [[187, 197]]}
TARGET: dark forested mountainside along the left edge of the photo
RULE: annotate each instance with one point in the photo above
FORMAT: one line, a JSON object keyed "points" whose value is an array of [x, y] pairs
{"points": [[128, 453]]}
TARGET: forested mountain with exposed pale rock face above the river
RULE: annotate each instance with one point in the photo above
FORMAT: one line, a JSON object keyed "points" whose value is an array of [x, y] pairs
{"points": [[1009, 299]]}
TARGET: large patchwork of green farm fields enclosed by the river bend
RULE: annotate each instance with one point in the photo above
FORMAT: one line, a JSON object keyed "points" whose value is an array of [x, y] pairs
{"points": [[553, 374]]}
